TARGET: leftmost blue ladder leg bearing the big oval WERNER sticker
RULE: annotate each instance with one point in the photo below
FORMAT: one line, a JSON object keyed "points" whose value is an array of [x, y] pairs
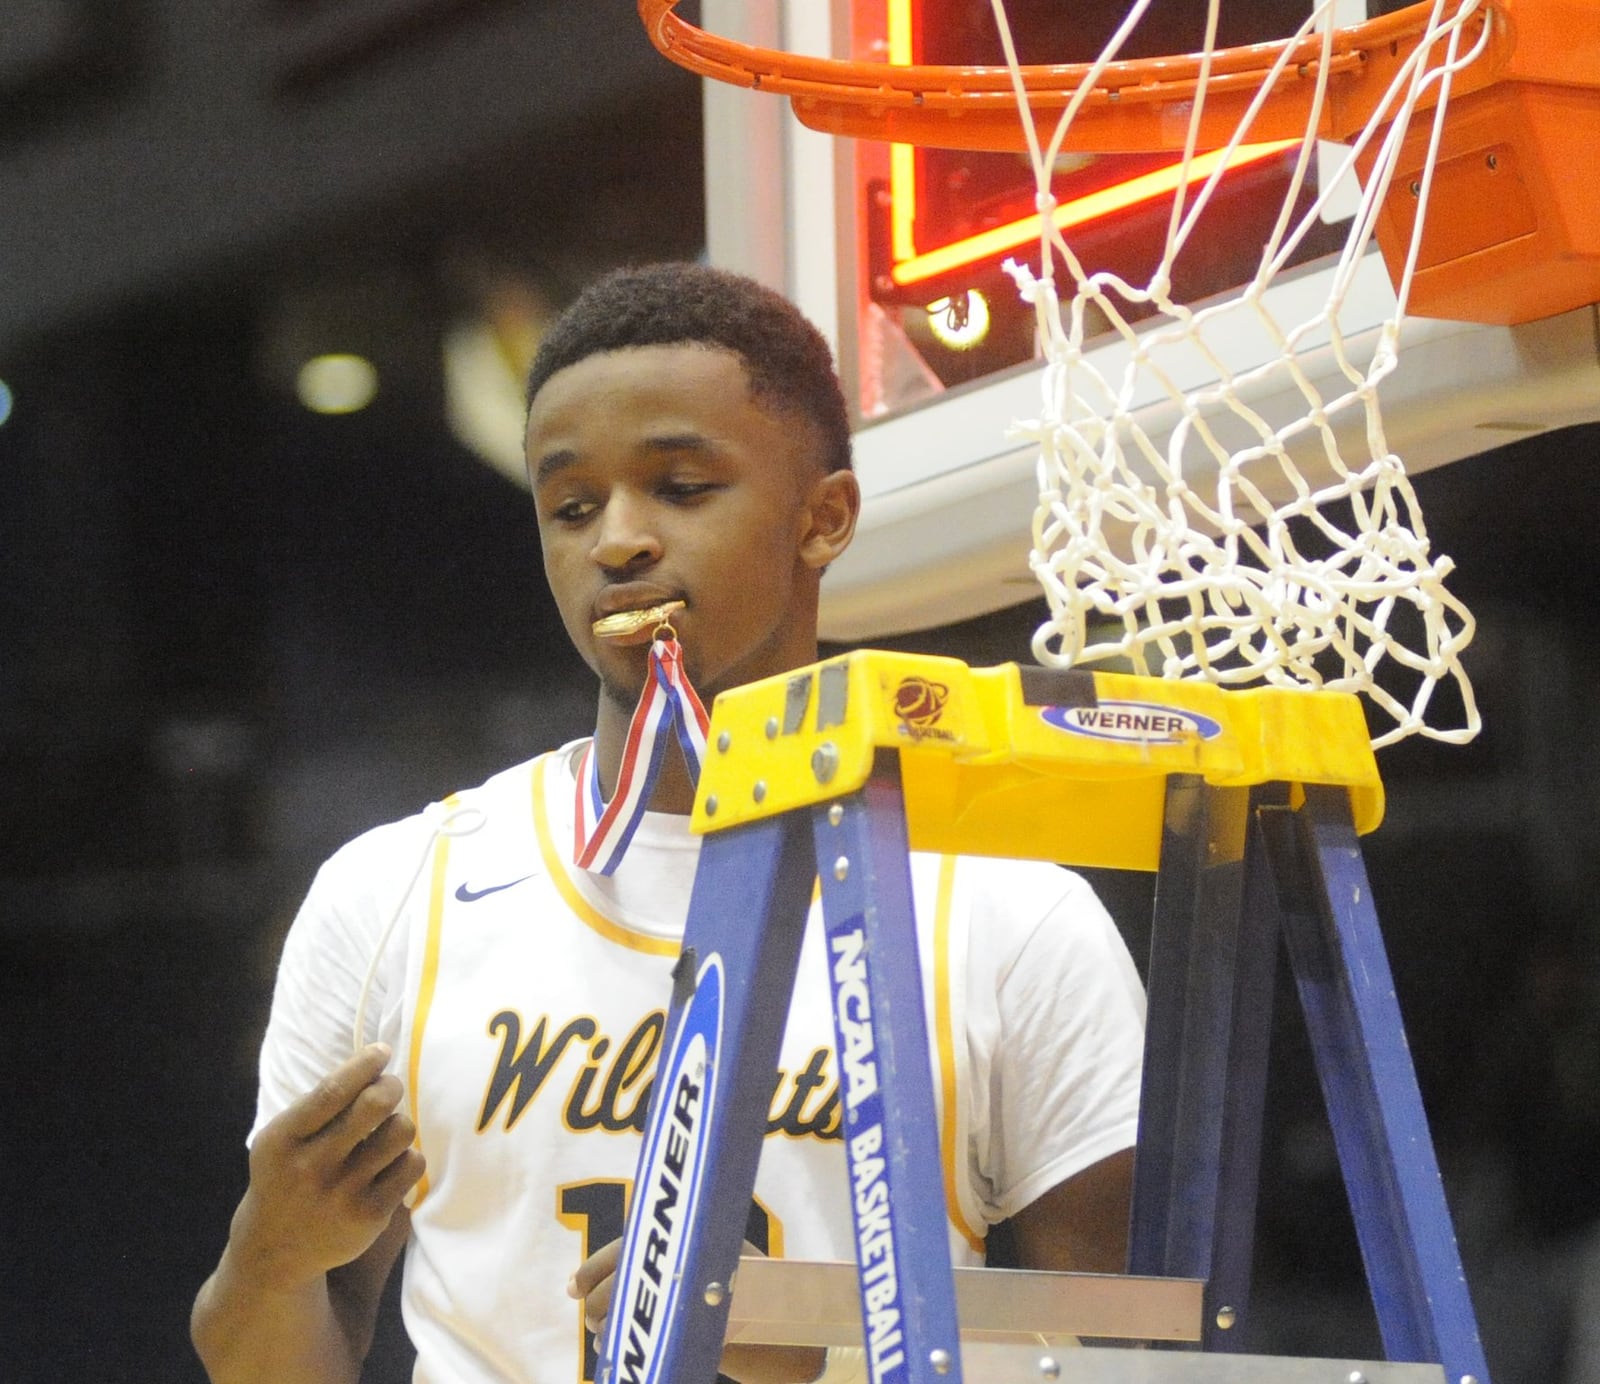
{"points": [[710, 1105]]}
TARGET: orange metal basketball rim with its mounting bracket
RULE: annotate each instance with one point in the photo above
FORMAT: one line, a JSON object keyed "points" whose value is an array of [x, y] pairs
{"points": [[1513, 234]]}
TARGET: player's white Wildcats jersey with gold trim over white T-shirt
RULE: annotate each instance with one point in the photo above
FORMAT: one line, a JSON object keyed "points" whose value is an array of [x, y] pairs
{"points": [[524, 1001]]}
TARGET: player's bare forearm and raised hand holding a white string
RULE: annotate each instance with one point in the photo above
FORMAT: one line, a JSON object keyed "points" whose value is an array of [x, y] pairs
{"points": [[295, 1297]]}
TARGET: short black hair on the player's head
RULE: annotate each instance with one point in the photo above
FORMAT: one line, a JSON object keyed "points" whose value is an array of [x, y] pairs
{"points": [[670, 305]]}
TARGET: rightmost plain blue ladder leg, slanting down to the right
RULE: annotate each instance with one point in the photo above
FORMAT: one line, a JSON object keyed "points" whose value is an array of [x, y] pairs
{"points": [[1370, 1089]]}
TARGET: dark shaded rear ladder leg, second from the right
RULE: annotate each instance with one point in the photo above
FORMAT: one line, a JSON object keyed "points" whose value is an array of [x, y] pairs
{"points": [[1210, 1010]]}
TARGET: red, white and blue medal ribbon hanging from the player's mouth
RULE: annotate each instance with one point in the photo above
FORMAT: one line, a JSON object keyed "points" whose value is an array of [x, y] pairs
{"points": [[668, 710]]}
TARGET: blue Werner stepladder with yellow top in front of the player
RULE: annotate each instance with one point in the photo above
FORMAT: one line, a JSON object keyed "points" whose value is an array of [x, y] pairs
{"points": [[1249, 806]]}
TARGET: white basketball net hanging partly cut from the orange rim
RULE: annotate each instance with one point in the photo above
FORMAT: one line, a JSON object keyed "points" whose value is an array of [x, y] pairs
{"points": [[1188, 559]]}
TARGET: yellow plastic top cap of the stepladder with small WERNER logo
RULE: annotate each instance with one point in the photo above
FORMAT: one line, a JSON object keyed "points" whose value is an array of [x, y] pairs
{"points": [[1030, 764]]}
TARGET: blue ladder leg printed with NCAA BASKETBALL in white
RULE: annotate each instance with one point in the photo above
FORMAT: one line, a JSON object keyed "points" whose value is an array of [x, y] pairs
{"points": [[892, 1138]]}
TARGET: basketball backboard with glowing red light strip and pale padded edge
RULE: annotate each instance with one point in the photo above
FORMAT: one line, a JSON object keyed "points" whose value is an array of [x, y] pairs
{"points": [[876, 242]]}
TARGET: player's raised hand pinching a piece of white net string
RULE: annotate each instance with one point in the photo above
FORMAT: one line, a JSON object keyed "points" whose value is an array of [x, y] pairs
{"points": [[329, 1174]]}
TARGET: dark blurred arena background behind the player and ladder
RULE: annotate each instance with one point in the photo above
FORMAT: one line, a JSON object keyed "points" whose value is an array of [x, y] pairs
{"points": [[246, 615]]}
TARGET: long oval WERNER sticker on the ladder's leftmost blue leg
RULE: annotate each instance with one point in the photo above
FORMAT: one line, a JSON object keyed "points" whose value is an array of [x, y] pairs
{"points": [[666, 1191]]}
